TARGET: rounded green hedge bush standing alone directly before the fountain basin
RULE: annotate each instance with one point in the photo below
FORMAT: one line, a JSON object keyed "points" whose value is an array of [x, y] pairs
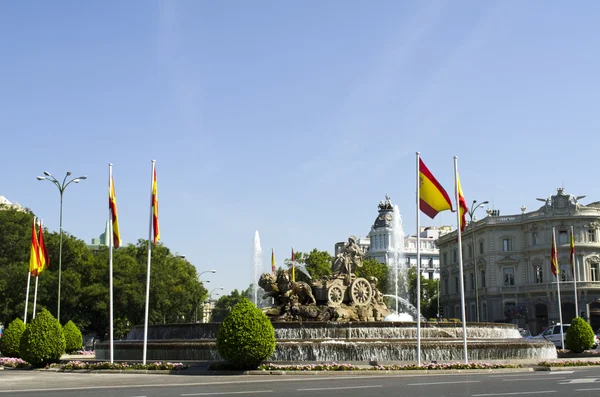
{"points": [[246, 337]]}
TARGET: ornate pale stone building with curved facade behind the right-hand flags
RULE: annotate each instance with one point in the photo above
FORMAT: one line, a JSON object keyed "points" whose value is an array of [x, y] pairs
{"points": [[506, 262]]}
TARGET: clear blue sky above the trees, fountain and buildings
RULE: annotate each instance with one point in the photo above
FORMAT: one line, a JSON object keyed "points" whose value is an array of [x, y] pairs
{"points": [[291, 118]]}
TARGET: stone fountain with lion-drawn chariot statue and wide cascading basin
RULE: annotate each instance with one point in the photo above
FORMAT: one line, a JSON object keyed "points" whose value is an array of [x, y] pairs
{"points": [[341, 318]]}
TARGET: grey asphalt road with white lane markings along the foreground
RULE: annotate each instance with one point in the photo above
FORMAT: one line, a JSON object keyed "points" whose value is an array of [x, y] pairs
{"points": [[579, 382]]}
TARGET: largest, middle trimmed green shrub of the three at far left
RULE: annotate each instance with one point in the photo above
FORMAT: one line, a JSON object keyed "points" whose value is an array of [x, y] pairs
{"points": [[43, 341]]}
